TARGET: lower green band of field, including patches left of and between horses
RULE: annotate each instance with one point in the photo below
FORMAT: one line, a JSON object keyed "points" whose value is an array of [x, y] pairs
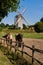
{"points": [[26, 35]]}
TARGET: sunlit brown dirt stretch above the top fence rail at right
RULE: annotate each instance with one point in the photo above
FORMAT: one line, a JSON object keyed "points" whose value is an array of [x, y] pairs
{"points": [[37, 42]]}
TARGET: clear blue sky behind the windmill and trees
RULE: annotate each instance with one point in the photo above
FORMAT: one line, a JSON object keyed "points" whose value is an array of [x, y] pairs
{"points": [[33, 13]]}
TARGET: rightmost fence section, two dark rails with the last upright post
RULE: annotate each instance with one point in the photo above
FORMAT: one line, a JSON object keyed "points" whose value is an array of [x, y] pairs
{"points": [[33, 51]]}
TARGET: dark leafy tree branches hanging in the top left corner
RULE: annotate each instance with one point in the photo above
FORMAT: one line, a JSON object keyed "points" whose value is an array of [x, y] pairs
{"points": [[8, 6]]}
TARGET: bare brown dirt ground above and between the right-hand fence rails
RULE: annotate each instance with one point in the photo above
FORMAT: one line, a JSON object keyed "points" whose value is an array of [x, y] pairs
{"points": [[38, 43]]}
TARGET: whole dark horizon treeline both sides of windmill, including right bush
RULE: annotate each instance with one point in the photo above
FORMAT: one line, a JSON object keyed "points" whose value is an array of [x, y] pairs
{"points": [[38, 27]]}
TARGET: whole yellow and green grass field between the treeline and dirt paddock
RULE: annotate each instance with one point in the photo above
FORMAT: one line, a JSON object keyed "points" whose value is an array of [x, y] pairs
{"points": [[25, 33]]}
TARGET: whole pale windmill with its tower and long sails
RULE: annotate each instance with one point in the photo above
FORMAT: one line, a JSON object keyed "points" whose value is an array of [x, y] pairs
{"points": [[18, 23]]}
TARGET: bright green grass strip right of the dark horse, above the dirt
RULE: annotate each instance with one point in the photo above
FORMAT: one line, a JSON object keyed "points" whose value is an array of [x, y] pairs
{"points": [[33, 35]]}
